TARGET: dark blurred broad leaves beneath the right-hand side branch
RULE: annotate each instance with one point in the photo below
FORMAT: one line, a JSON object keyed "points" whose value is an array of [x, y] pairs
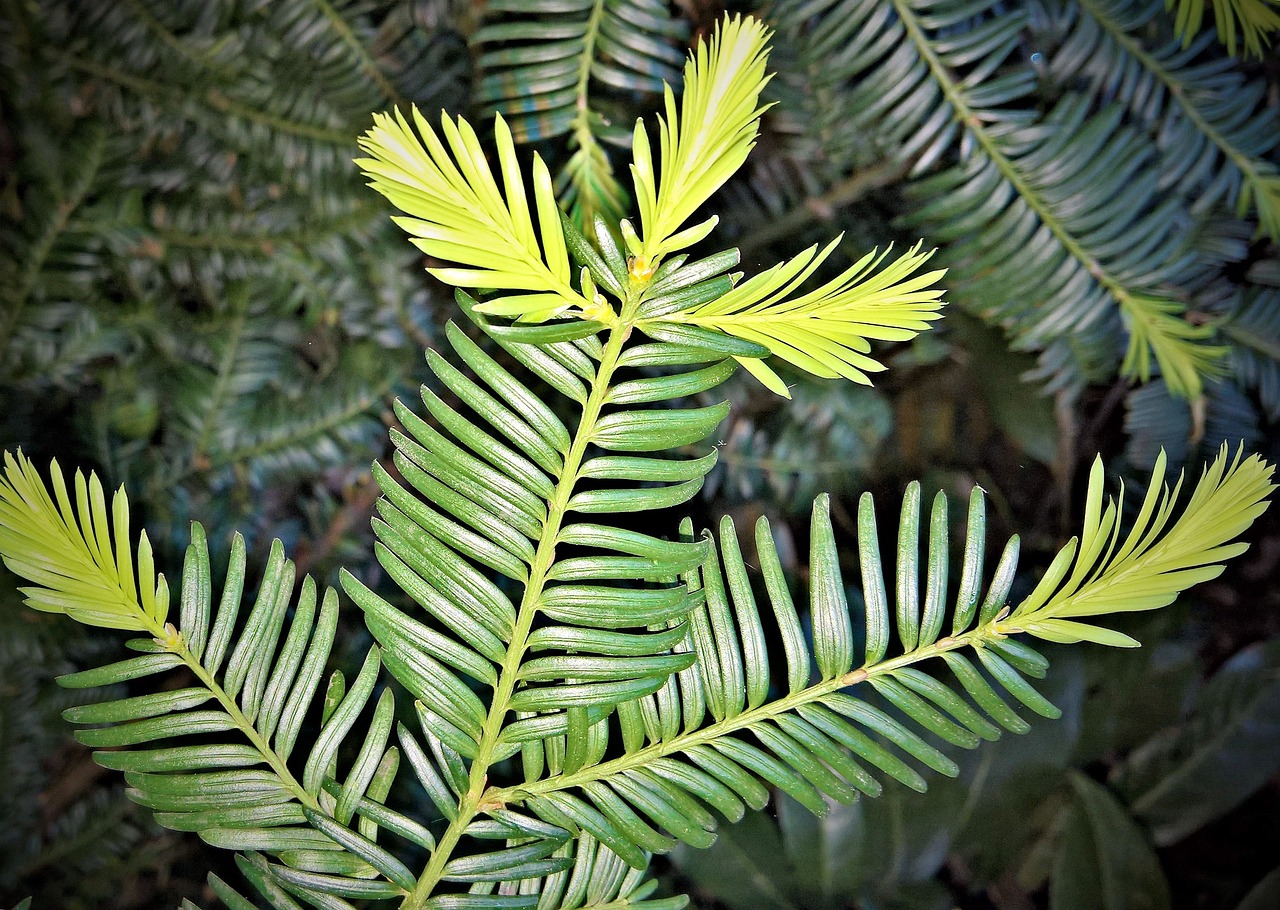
{"points": [[1026, 813]]}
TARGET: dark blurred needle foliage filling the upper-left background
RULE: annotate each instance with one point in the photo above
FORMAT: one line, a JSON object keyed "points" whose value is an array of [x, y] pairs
{"points": [[196, 286]]}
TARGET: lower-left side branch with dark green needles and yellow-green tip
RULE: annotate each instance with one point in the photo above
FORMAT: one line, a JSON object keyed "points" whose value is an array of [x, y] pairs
{"points": [[257, 678]]}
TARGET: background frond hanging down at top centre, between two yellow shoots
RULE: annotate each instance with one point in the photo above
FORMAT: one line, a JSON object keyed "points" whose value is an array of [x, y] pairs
{"points": [[572, 70]]}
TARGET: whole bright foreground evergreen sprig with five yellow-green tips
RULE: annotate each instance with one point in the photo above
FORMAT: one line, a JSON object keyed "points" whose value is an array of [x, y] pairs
{"points": [[586, 694]]}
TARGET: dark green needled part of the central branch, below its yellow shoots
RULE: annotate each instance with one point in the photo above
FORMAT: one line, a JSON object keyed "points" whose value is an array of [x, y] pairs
{"points": [[477, 493]]}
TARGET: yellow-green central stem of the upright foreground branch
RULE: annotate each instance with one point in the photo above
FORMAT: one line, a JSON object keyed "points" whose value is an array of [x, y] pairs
{"points": [[478, 795]]}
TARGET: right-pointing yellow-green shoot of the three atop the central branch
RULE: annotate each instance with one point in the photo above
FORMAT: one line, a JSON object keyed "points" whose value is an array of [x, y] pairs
{"points": [[826, 332]]}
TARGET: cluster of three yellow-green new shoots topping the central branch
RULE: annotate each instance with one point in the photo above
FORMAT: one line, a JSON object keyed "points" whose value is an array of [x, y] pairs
{"points": [[459, 213]]}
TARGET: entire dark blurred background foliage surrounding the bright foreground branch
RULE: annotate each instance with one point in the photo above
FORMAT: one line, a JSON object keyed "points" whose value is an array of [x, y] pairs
{"points": [[200, 300]]}
